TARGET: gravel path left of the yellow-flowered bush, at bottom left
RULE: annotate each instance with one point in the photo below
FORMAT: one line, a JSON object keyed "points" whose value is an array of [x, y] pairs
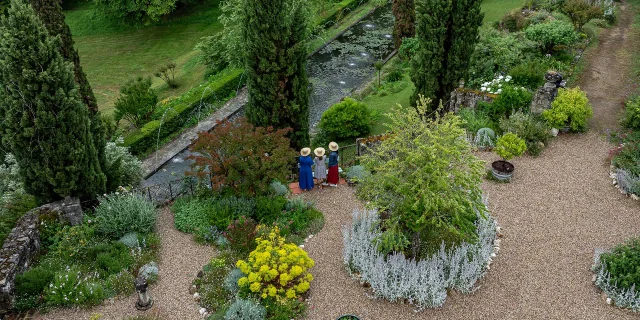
{"points": [[180, 260]]}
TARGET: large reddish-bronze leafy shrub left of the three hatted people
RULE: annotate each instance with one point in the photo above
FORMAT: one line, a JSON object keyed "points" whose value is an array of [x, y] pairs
{"points": [[239, 157]]}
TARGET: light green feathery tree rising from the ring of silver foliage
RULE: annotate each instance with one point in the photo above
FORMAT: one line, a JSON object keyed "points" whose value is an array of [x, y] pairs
{"points": [[426, 176]]}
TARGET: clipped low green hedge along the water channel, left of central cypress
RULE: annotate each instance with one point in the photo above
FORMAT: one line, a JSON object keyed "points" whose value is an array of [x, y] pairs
{"points": [[220, 86]]}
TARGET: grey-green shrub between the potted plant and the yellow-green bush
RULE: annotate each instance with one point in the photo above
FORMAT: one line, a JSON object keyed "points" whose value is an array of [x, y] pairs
{"points": [[536, 133]]}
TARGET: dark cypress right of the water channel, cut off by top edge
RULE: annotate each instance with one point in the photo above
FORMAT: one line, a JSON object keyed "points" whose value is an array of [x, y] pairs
{"points": [[447, 31]]}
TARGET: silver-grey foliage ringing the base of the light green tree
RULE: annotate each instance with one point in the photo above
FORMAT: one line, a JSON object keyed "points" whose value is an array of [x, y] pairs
{"points": [[425, 282]]}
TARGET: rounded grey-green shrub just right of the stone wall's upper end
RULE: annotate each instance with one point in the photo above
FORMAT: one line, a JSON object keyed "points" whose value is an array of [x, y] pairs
{"points": [[119, 214]]}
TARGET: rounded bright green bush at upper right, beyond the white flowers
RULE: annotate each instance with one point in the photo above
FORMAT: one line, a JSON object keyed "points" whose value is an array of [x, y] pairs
{"points": [[552, 33]]}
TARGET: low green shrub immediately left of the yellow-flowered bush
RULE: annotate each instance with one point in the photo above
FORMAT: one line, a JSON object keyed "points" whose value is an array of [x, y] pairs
{"points": [[213, 294]]}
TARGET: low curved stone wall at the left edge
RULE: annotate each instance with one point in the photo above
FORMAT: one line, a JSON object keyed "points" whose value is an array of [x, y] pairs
{"points": [[23, 244]]}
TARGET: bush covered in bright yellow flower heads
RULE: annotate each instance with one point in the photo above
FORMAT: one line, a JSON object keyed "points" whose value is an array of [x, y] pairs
{"points": [[276, 269]]}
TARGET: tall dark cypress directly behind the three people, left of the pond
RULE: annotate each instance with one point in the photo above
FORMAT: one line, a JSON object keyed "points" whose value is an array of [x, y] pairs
{"points": [[274, 35]]}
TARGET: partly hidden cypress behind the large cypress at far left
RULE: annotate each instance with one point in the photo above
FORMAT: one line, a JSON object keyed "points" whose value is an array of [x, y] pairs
{"points": [[50, 13]]}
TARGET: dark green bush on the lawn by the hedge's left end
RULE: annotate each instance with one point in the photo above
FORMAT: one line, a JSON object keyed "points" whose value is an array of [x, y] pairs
{"points": [[137, 102]]}
